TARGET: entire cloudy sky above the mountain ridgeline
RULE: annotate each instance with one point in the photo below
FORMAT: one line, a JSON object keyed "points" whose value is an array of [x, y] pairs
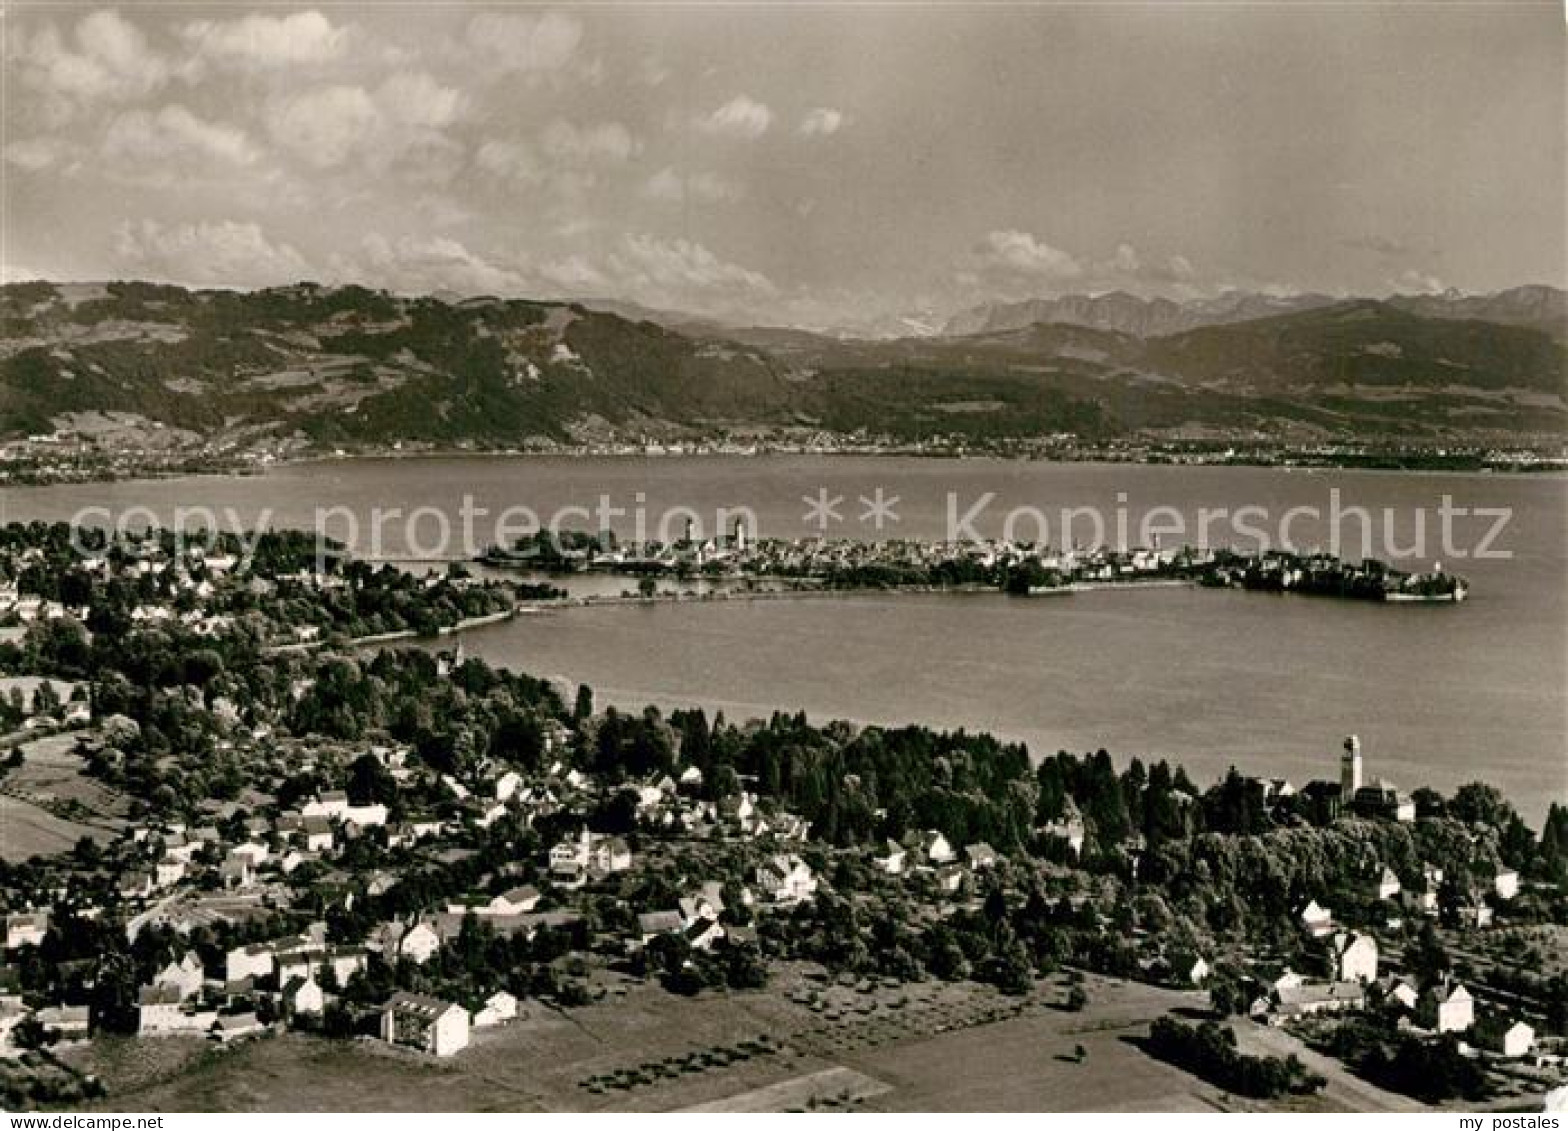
{"points": [[807, 165]]}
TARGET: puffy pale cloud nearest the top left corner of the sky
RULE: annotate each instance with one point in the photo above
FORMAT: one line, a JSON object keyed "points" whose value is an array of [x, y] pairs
{"points": [[106, 60]]}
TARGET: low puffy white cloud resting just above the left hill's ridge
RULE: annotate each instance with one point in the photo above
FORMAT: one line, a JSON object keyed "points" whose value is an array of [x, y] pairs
{"points": [[208, 253]]}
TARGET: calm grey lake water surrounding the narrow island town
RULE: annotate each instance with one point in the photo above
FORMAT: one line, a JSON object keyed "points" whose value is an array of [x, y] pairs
{"points": [[1440, 696]]}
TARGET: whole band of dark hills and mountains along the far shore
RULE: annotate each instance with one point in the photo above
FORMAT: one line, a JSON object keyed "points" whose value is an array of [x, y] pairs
{"points": [[347, 366]]}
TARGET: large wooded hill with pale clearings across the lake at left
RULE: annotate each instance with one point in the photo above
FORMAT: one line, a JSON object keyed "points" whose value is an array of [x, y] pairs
{"points": [[352, 365]]}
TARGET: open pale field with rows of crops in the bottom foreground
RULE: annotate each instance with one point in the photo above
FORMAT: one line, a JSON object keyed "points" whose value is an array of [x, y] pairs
{"points": [[804, 1044]]}
